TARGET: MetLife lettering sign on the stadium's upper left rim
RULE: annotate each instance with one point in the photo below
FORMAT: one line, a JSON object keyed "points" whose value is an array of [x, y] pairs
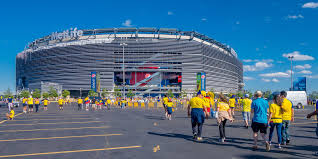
{"points": [[72, 33]]}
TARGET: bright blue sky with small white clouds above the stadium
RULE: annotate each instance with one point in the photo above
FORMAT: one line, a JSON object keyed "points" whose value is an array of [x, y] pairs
{"points": [[261, 32]]}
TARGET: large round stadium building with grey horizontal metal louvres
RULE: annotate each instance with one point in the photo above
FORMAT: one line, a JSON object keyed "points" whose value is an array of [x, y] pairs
{"points": [[154, 61]]}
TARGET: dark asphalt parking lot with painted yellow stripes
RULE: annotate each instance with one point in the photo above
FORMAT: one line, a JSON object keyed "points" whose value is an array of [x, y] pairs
{"points": [[138, 133]]}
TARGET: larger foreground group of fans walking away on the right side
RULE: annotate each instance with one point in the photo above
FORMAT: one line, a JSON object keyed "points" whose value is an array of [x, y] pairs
{"points": [[277, 114]]}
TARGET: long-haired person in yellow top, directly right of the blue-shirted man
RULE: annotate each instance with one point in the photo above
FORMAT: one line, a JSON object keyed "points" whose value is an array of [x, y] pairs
{"points": [[275, 119]]}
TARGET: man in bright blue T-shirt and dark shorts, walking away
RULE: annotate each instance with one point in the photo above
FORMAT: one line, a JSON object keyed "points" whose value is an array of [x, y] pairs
{"points": [[259, 122]]}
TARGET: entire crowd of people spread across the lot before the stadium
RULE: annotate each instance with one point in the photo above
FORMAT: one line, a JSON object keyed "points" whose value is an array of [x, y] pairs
{"points": [[276, 114]]}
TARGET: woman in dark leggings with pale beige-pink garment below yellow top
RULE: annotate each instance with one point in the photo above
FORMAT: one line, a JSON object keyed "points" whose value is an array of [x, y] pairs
{"points": [[224, 114]]}
